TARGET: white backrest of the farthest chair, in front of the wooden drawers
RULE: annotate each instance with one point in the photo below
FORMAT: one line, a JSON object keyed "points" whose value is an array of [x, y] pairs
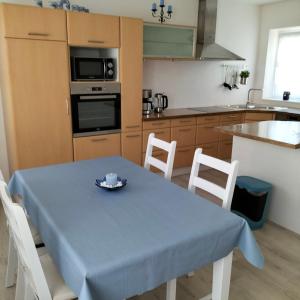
{"points": [[165, 167]]}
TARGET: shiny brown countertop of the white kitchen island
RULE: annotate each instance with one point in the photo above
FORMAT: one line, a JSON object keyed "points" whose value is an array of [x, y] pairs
{"points": [[281, 133]]}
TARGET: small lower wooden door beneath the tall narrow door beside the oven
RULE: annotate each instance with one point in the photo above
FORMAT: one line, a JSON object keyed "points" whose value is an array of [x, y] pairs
{"points": [[132, 146]]}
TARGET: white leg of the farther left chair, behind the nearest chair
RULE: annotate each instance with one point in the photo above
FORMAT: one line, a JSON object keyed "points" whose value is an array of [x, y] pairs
{"points": [[12, 264]]}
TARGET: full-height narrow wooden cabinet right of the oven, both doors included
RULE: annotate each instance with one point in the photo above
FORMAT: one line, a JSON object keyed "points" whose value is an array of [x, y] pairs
{"points": [[131, 74]]}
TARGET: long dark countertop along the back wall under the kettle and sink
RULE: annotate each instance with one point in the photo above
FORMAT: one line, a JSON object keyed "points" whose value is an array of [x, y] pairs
{"points": [[213, 110]]}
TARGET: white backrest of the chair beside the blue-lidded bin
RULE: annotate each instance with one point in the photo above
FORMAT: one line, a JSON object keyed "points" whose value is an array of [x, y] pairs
{"points": [[231, 169]]}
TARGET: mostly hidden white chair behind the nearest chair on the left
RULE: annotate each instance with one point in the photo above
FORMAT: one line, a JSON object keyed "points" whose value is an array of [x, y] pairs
{"points": [[12, 259]]}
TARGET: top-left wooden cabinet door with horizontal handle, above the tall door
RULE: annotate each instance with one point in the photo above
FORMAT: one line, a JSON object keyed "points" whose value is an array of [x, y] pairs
{"points": [[21, 21]]}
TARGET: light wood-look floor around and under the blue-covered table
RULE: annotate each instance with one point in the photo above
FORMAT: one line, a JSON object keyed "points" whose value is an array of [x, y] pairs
{"points": [[279, 280]]}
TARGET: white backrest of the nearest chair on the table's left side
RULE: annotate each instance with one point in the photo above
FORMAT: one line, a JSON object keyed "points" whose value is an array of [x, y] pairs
{"points": [[27, 253]]}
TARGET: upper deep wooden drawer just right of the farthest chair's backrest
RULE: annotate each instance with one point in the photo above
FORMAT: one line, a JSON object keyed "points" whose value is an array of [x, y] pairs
{"points": [[184, 136]]}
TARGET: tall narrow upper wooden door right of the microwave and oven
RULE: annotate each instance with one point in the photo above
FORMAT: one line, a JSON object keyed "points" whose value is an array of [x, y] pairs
{"points": [[131, 73]]}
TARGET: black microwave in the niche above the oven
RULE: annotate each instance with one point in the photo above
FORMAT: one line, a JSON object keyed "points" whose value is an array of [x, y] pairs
{"points": [[88, 68]]}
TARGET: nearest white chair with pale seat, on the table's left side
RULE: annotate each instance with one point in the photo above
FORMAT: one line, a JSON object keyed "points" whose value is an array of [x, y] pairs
{"points": [[37, 276]]}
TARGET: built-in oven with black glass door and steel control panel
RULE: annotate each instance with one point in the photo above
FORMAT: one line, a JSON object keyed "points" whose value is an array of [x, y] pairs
{"points": [[96, 108]]}
